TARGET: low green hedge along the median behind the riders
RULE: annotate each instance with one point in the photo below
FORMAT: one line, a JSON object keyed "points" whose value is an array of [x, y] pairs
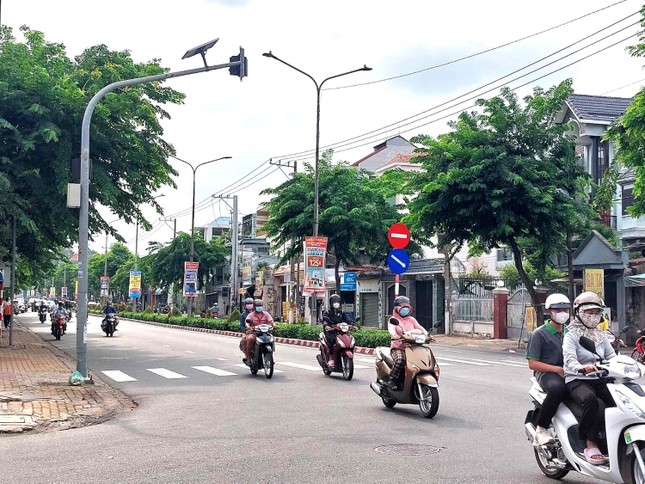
{"points": [[368, 338]]}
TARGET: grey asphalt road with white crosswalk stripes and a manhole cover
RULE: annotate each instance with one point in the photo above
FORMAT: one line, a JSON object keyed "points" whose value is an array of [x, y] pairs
{"points": [[204, 418]]}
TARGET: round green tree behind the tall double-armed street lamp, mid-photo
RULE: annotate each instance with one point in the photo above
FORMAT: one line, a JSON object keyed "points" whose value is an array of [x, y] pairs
{"points": [[354, 213]]}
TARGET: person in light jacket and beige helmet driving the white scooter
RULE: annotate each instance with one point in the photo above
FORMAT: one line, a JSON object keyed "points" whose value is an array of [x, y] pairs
{"points": [[586, 390]]}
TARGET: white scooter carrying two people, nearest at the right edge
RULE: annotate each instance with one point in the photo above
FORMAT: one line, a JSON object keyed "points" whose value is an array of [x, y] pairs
{"points": [[624, 424]]}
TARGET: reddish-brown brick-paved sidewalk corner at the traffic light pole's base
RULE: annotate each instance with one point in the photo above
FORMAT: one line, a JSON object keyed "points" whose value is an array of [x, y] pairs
{"points": [[34, 391]]}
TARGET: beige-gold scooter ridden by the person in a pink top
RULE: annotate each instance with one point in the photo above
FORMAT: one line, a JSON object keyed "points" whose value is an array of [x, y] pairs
{"points": [[421, 374]]}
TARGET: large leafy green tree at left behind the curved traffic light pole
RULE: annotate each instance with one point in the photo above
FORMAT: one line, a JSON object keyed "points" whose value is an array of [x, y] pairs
{"points": [[43, 95]]}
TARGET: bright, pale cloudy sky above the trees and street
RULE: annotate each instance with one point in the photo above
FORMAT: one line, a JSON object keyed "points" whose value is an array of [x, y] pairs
{"points": [[271, 114]]}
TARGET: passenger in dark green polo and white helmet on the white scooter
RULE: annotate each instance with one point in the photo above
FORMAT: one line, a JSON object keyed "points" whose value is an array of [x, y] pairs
{"points": [[544, 355]]}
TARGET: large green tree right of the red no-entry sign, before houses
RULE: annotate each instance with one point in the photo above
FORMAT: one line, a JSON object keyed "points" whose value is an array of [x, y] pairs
{"points": [[506, 175]]}
